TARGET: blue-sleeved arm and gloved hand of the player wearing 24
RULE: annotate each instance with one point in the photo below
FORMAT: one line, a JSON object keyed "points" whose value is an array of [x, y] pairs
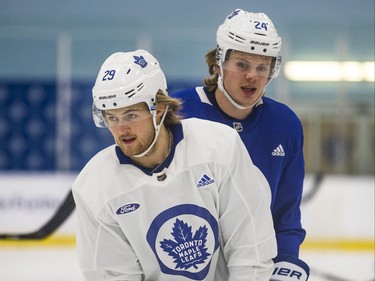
{"points": [[287, 215]]}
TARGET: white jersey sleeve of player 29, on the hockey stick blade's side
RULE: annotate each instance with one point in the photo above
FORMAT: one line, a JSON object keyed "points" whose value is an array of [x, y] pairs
{"points": [[102, 248]]}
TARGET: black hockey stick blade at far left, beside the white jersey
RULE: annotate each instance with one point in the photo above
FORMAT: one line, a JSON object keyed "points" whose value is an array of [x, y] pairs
{"points": [[62, 213]]}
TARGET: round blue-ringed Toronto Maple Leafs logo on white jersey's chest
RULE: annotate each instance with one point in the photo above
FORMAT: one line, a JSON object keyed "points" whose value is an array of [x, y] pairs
{"points": [[184, 239]]}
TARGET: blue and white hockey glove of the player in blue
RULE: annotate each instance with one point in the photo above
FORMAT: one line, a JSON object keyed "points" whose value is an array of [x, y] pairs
{"points": [[290, 269]]}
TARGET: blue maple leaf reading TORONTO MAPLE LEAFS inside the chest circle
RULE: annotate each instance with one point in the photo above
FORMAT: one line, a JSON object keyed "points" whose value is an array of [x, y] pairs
{"points": [[187, 250]]}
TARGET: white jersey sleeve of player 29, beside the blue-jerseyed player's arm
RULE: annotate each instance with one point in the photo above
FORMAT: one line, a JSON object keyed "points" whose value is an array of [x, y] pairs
{"points": [[248, 237]]}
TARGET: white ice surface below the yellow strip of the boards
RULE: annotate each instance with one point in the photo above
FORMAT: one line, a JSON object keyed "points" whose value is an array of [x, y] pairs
{"points": [[33, 263]]}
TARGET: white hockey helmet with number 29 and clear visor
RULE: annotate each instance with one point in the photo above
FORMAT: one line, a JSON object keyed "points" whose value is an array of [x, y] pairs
{"points": [[126, 79]]}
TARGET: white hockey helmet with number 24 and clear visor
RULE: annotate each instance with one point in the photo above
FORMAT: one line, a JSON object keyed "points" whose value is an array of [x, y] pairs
{"points": [[248, 32]]}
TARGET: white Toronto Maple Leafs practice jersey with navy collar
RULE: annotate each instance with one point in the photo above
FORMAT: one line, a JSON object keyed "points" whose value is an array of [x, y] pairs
{"points": [[204, 216]]}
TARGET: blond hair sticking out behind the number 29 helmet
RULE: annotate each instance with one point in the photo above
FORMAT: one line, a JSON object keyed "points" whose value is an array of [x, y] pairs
{"points": [[174, 105]]}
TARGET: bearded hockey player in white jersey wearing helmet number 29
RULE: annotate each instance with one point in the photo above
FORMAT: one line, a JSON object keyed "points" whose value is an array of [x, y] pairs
{"points": [[170, 200]]}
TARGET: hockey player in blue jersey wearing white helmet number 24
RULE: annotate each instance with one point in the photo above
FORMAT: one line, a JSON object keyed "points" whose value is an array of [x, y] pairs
{"points": [[244, 62]]}
